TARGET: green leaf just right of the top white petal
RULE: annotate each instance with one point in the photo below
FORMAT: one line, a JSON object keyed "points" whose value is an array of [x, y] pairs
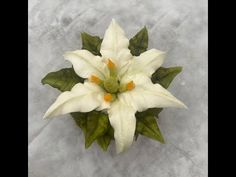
{"points": [[139, 43]]}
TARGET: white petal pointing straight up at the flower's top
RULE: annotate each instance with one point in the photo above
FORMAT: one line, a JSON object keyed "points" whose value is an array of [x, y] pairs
{"points": [[115, 45]]}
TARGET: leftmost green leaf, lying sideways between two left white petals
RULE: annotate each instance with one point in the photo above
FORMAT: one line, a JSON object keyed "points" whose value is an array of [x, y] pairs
{"points": [[63, 79]]}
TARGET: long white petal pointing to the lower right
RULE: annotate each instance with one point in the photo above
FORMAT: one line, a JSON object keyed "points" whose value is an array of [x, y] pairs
{"points": [[148, 95]]}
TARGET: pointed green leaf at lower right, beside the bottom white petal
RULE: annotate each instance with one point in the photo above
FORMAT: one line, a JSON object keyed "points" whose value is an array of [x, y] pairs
{"points": [[148, 126]]}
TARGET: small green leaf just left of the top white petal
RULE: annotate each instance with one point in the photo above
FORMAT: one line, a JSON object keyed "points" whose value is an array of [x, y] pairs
{"points": [[91, 43]]}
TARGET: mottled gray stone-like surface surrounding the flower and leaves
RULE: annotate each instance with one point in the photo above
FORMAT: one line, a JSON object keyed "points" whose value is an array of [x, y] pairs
{"points": [[56, 146]]}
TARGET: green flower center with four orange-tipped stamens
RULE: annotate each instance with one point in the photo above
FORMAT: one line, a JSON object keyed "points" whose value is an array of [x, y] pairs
{"points": [[111, 84]]}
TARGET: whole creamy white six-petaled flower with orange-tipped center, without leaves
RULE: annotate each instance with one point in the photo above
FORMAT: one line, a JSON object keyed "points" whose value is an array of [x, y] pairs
{"points": [[117, 82]]}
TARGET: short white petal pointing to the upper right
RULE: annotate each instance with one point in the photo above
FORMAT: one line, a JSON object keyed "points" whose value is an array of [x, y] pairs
{"points": [[147, 63]]}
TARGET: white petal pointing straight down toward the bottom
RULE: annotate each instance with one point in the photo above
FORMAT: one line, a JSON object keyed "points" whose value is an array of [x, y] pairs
{"points": [[122, 119]]}
